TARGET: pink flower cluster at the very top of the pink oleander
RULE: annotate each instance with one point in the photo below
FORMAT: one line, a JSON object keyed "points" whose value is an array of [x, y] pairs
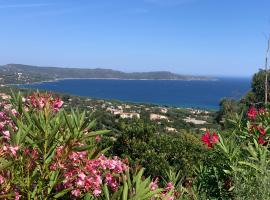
{"points": [[40, 101]]}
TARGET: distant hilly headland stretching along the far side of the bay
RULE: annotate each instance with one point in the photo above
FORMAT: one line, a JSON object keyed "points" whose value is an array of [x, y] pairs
{"points": [[18, 73]]}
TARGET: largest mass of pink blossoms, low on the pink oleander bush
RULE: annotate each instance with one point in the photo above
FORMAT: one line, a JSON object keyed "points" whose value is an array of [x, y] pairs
{"points": [[84, 175]]}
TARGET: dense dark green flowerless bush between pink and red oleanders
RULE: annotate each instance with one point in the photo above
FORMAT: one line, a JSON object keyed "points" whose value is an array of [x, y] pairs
{"points": [[157, 152]]}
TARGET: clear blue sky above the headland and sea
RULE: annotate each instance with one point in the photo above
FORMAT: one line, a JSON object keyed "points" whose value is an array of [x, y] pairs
{"points": [[201, 37]]}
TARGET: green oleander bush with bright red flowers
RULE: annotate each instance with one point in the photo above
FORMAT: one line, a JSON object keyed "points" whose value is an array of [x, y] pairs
{"points": [[239, 166]]}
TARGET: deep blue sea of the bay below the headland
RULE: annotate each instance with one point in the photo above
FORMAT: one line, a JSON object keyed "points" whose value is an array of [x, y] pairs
{"points": [[196, 94]]}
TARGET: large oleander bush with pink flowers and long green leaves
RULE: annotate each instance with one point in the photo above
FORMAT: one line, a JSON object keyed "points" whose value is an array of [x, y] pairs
{"points": [[48, 153]]}
